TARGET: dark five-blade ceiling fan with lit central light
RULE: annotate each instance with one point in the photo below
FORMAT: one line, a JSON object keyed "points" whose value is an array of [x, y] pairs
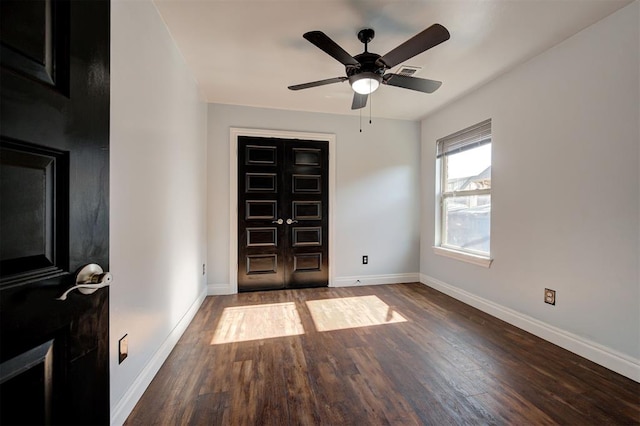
{"points": [[366, 71]]}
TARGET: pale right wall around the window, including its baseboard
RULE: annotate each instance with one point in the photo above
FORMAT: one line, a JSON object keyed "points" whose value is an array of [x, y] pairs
{"points": [[565, 178]]}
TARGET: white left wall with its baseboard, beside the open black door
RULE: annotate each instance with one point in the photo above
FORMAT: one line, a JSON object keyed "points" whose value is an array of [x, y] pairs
{"points": [[158, 193]]}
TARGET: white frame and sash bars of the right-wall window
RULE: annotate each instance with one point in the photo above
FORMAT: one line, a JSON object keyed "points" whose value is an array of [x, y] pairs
{"points": [[467, 255]]}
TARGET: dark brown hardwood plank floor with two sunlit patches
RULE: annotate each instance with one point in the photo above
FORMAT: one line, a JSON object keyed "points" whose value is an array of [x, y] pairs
{"points": [[396, 354]]}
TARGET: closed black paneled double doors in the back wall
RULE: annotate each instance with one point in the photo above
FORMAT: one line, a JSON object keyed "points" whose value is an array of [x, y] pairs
{"points": [[283, 206]]}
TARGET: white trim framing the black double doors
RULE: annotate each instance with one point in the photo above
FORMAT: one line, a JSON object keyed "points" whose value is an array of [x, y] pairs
{"points": [[234, 133]]}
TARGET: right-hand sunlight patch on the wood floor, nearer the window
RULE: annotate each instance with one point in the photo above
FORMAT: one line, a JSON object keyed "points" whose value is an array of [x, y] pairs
{"points": [[351, 312]]}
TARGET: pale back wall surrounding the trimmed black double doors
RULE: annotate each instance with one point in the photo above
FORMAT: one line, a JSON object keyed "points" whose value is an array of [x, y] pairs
{"points": [[377, 200]]}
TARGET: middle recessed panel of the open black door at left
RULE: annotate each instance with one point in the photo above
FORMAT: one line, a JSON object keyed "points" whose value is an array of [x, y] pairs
{"points": [[34, 230]]}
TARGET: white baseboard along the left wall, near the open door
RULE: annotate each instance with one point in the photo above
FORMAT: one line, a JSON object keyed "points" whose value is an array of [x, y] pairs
{"points": [[123, 408]]}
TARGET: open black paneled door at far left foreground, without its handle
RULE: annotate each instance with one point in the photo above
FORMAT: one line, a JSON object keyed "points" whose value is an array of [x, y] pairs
{"points": [[54, 175]]}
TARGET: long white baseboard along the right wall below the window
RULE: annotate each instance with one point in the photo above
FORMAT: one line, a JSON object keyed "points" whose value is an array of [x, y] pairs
{"points": [[607, 357]]}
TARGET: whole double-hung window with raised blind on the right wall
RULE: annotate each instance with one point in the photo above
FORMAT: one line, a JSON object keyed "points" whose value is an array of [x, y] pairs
{"points": [[464, 160]]}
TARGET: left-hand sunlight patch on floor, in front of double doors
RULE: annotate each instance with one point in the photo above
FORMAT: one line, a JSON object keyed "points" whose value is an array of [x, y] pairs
{"points": [[253, 322]]}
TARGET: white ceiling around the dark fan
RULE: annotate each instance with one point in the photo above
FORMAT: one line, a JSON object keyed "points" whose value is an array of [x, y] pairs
{"points": [[247, 52]]}
